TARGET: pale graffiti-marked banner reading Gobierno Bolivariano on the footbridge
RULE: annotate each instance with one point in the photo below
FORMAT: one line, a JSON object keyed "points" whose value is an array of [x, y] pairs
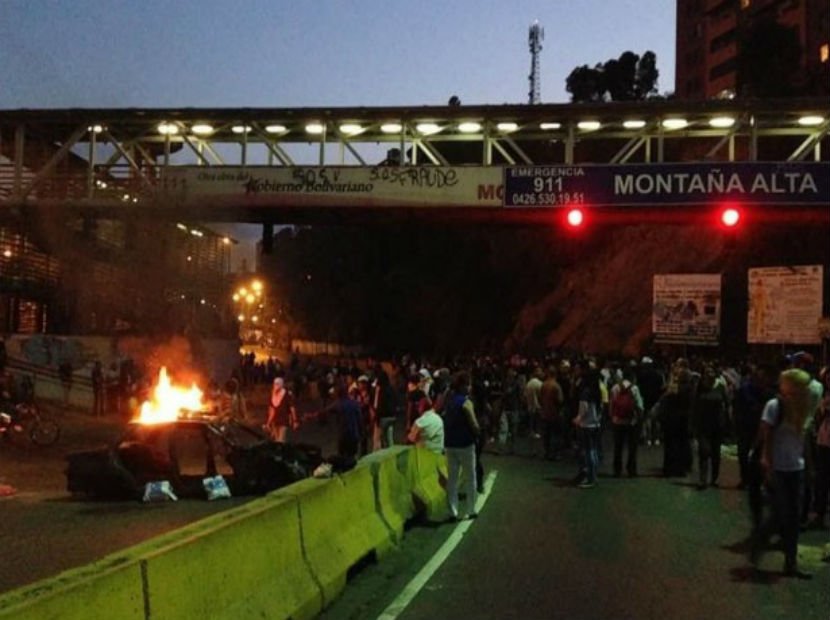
{"points": [[336, 186]]}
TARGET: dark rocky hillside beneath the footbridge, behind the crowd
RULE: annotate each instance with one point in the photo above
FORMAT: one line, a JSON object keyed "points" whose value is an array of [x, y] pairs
{"points": [[435, 289]]}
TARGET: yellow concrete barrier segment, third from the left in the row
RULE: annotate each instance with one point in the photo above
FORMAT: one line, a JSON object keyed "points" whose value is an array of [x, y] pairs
{"points": [[339, 526]]}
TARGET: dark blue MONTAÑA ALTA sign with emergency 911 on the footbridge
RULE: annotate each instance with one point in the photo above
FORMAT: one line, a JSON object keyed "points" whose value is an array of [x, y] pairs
{"points": [[779, 183]]}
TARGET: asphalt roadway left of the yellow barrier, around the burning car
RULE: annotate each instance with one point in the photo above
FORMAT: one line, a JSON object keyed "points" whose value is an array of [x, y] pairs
{"points": [[44, 530]]}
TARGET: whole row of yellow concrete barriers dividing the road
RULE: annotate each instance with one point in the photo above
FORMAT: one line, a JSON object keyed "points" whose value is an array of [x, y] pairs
{"points": [[286, 555]]}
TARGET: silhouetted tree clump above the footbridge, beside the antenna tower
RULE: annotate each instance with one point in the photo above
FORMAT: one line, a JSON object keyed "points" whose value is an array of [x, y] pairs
{"points": [[627, 78]]}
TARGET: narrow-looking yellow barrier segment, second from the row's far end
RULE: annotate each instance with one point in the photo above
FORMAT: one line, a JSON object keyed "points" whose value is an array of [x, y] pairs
{"points": [[393, 488]]}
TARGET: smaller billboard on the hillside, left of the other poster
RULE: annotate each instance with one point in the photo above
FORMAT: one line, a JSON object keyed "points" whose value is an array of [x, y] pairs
{"points": [[686, 308]]}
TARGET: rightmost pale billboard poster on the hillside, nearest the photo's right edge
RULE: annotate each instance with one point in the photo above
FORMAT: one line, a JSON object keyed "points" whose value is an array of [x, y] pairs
{"points": [[785, 304]]}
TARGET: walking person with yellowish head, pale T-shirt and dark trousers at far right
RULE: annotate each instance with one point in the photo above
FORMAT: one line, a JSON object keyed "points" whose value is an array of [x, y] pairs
{"points": [[782, 463]]}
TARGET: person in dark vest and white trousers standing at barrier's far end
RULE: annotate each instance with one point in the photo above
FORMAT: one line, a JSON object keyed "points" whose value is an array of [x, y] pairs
{"points": [[460, 432]]}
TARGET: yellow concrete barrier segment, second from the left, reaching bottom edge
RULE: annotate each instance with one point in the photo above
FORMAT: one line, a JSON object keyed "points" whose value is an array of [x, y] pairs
{"points": [[245, 563]]}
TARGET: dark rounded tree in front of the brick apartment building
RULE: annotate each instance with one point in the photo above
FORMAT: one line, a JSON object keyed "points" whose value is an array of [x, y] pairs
{"points": [[768, 60]]}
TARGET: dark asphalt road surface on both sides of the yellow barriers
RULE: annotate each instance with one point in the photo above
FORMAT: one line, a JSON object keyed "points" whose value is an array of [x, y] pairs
{"points": [[648, 548]]}
